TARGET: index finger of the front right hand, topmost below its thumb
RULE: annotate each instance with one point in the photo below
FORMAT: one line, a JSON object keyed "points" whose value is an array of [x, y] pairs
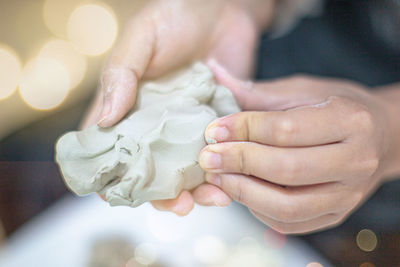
{"points": [[305, 126]]}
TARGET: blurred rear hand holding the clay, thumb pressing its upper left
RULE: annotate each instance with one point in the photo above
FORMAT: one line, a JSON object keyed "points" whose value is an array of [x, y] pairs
{"points": [[168, 34]]}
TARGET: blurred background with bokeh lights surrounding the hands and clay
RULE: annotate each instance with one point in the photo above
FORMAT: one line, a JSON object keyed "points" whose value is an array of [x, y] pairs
{"points": [[51, 53]]}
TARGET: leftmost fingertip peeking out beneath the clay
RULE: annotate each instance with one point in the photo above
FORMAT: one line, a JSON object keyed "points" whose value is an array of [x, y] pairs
{"points": [[181, 206]]}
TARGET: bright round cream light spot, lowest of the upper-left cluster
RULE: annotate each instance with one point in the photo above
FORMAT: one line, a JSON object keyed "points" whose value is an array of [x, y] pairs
{"points": [[44, 83]]}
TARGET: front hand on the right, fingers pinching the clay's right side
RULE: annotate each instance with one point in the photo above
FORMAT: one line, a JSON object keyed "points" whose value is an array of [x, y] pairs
{"points": [[304, 155]]}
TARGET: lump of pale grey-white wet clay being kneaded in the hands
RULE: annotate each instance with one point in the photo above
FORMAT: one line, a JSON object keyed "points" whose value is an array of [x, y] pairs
{"points": [[152, 153]]}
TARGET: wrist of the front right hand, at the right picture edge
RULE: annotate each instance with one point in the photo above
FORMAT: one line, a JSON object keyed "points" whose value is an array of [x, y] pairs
{"points": [[390, 97]]}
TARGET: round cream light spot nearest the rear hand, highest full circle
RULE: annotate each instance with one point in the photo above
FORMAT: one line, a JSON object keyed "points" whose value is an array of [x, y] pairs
{"points": [[92, 29]]}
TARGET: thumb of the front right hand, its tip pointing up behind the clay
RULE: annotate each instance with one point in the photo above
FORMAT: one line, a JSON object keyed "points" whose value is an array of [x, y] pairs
{"points": [[275, 95]]}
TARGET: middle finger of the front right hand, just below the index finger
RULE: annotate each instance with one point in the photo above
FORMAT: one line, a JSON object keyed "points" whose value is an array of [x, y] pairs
{"points": [[284, 166]]}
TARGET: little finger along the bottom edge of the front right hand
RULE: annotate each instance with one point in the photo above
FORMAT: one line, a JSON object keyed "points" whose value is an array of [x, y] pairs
{"points": [[322, 222]]}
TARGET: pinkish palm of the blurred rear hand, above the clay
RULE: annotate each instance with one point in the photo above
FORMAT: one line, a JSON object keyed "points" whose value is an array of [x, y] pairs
{"points": [[227, 34]]}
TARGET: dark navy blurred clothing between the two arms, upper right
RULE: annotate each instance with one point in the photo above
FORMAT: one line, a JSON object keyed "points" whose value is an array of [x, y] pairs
{"points": [[340, 44]]}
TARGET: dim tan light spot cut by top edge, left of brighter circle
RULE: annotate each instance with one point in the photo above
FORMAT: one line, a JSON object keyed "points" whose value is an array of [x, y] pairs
{"points": [[56, 14]]}
